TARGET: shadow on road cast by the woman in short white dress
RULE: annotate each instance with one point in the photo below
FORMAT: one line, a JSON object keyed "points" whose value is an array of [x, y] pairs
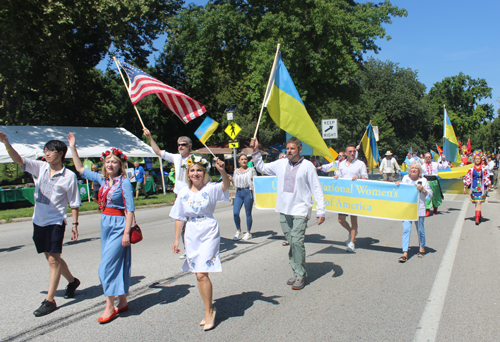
{"points": [[236, 305]]}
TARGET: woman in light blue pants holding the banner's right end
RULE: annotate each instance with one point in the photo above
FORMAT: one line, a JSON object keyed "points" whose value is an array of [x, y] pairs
{"points": [[414, 177]]}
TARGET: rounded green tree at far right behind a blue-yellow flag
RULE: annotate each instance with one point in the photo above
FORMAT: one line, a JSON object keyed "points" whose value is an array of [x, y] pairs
{"points": [[461, 94]]}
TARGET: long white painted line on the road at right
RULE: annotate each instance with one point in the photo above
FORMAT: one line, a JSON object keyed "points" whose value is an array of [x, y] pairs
{"points": [[429, 322]]}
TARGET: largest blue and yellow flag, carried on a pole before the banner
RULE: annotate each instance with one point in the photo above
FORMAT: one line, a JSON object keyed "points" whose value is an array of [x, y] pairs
{"points": [[288, 111]]}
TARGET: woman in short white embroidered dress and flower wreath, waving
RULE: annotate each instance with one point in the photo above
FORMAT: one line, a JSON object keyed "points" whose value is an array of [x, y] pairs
{"points": [[196, 205]]}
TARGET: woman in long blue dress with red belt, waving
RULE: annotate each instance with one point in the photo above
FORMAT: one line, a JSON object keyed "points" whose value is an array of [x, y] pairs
{"points": [[116, 199]]}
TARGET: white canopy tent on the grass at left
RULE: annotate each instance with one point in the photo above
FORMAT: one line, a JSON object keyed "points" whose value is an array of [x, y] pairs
{"points": [[29, 141]]}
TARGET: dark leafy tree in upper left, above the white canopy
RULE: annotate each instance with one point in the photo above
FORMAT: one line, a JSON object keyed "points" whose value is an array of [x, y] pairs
{"points": [[49, 50]]}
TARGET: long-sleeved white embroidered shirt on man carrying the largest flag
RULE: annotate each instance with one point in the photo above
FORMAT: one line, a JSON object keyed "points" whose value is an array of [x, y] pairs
{"points": [[306, 183]]}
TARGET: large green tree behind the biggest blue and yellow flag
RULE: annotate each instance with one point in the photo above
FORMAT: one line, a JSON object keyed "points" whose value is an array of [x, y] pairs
{"points": [[222, 53]]}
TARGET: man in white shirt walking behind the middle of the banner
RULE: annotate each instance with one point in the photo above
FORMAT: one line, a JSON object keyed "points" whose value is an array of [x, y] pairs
{"points": [[351, 168]]}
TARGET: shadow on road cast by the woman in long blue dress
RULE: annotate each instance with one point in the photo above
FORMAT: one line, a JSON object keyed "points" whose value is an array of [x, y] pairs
{"points": [[166, 295]]}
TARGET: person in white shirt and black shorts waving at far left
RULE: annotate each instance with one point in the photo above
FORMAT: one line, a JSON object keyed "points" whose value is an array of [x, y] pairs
{"points": [[55, 188]]}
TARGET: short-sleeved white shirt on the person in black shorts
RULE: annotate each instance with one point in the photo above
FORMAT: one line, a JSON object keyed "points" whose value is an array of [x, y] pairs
{"points": [[52, 194]]}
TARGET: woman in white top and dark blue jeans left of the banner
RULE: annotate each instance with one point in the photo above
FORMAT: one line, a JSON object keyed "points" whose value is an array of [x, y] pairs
{"points": [[243, 182]]}
